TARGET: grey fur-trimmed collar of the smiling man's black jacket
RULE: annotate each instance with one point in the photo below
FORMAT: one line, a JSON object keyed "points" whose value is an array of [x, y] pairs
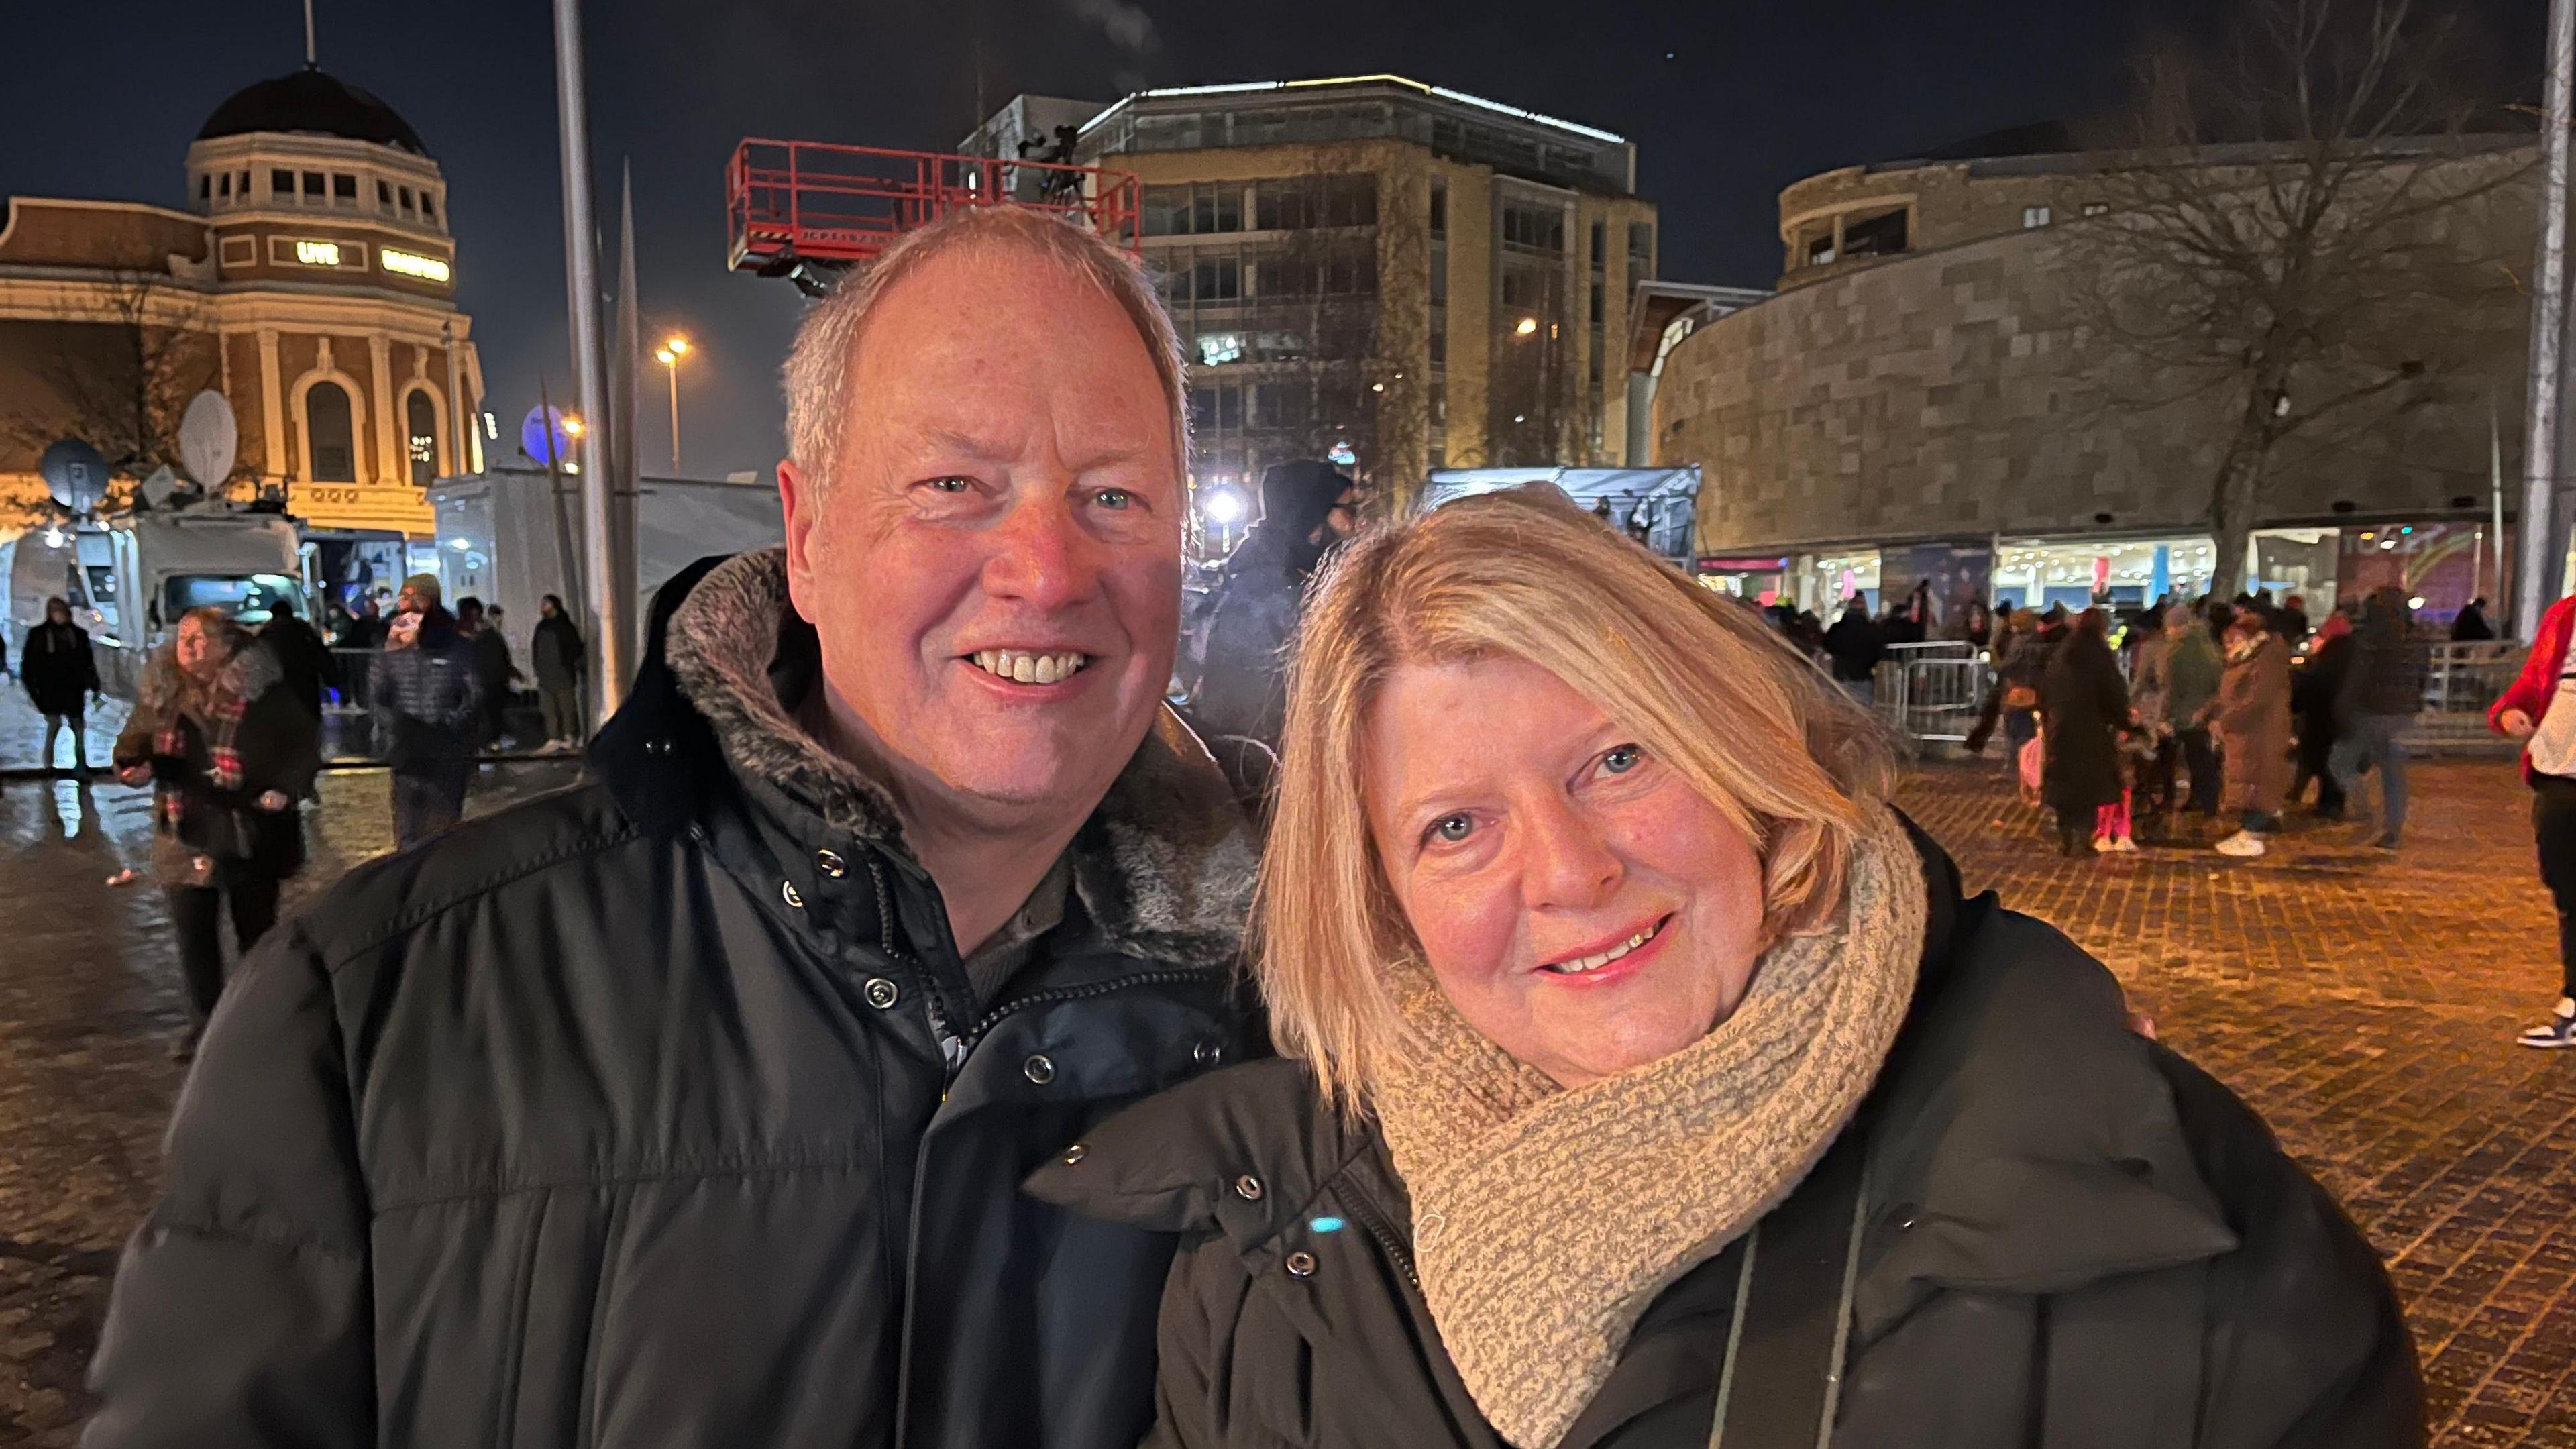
{"points": [[1163, 868]]}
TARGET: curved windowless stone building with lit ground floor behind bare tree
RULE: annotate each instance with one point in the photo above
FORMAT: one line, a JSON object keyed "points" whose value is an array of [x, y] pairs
{"points": [[1920, 401]]}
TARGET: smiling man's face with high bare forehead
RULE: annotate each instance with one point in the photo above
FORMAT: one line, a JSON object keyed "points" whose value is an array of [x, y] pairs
{"points": [[996, 569]]}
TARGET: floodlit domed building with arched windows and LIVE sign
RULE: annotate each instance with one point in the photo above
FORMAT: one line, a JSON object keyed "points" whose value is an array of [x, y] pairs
{"points": [[308, 280]]}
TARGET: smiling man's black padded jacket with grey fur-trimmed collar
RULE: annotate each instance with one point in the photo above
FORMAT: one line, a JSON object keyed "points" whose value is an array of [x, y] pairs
{"points": [[661, 1113]]}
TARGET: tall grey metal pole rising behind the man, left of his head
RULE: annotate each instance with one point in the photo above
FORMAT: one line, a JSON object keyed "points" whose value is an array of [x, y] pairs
{"points": [[609, 628]]}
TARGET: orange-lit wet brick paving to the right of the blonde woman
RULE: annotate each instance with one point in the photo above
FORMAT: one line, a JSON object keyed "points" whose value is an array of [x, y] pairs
{"points": [[2363, 1004]]}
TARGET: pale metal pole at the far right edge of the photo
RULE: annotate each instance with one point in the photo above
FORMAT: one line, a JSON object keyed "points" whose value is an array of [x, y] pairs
{"points": [[2541, 574]]}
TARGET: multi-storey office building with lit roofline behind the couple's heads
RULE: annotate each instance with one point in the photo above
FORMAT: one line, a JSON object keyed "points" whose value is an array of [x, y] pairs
{"points": [[1382, 272]]}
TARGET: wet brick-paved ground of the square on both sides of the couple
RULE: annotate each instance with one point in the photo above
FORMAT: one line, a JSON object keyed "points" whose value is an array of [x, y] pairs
{"points": [[2361, 1002]]}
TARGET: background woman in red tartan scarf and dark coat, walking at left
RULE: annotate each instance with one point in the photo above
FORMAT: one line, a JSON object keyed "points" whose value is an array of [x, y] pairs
{"points": [[228, 752]]}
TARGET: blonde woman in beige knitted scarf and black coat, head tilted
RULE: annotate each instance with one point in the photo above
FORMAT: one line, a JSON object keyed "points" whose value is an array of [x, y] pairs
{"points": [[1650, 1007]]}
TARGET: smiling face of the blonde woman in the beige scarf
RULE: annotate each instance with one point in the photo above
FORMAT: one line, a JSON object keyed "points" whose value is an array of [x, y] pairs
{"points": [[1575, 899]]}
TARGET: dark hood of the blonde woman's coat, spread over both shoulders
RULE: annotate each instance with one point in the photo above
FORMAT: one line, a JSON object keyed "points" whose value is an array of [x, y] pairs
{"points": [[2023, 1136]]}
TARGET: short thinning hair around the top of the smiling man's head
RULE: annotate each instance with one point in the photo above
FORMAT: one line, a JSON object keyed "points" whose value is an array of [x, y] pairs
{"points": [[823, 360]]}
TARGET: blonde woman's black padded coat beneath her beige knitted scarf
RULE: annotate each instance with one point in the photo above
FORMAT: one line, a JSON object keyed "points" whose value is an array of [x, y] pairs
{"points": [[2072, 1241]]}
